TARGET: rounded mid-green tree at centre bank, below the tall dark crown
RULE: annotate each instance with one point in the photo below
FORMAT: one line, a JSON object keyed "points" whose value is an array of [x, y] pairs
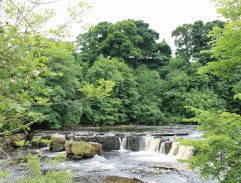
{"points": [[113, 109]]}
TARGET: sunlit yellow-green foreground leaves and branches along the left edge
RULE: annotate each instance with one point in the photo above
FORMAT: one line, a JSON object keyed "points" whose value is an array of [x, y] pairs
{"points": [[26, 56]]}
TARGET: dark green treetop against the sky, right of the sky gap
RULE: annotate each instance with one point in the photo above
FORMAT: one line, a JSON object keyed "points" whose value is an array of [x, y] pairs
{"points": [[192, 40]]}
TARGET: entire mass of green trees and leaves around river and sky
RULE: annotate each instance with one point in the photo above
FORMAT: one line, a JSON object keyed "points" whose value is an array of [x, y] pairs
{"points": [[121, 73]]}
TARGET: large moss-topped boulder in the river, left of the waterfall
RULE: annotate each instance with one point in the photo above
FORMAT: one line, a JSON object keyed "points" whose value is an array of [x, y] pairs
{"points": [[81, 149]]}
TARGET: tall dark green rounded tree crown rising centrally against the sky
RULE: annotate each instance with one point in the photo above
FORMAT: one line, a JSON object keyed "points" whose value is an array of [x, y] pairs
{"points": [[132, 41]]}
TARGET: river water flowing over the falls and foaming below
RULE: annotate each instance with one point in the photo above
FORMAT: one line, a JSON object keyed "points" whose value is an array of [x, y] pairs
{"points": [[149, 164]]}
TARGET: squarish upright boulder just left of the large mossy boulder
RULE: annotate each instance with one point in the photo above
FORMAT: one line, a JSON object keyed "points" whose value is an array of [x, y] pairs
{"points": [[57, 143]]}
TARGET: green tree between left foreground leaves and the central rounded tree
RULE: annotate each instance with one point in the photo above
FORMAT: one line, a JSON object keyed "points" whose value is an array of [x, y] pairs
{"points": [[64, 87]]}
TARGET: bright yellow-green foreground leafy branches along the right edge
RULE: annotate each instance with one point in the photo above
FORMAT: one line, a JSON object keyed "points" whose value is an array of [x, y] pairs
{"points": [[218, 155]]}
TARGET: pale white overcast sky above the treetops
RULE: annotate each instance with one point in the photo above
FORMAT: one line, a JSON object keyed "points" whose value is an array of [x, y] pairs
{"points": [[162, 15]]}
